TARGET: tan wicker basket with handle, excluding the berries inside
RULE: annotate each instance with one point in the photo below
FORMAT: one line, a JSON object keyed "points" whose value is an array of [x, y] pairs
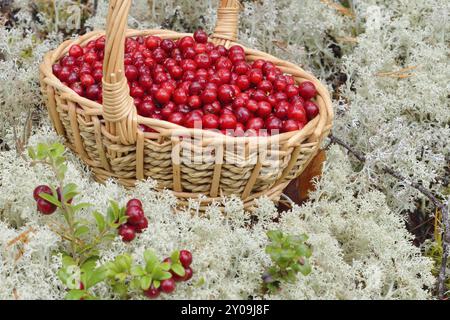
{"points": [[107, 139]]}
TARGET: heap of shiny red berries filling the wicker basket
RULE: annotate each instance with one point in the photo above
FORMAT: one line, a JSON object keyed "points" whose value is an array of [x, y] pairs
{"points": [[191, 82]]}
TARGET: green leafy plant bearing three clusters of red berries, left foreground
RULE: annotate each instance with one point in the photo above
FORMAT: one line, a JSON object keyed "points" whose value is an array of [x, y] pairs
{"points": [[80, 270]]}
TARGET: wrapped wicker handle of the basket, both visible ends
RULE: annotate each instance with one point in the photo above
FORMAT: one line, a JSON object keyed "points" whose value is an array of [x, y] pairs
{"points": [[119, 111]]}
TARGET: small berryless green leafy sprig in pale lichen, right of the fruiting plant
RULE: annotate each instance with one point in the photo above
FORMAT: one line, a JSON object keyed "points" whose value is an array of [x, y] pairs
{"points": [[290, 255]]}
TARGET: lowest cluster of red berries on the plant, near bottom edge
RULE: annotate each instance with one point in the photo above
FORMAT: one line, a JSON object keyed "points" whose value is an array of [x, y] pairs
{"points": [[168, 285]]}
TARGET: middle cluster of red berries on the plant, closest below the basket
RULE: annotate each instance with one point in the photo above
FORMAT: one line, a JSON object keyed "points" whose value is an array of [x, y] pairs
{"points": [[136, 222]]}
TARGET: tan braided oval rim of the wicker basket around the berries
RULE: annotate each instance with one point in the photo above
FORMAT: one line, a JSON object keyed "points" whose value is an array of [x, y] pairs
{"points": [[95, 108]]}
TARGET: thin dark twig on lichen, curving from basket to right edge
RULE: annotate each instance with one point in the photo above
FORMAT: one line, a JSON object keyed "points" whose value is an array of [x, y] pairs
{"points": [[427, 193]]}
